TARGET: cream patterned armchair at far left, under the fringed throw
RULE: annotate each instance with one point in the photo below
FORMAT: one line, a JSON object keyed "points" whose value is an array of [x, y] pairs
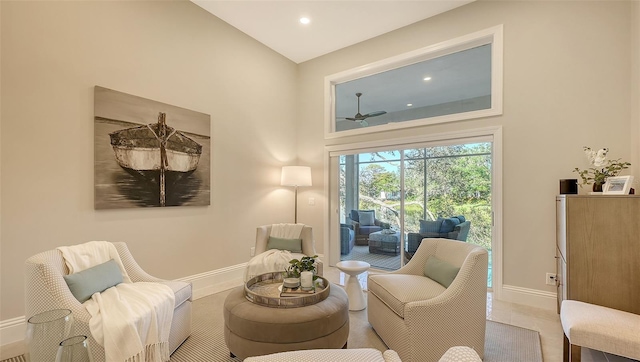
{"points": [[46, 289]]}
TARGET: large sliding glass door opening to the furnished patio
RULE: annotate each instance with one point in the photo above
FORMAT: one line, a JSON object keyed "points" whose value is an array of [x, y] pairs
{"points": [[389, 199]]}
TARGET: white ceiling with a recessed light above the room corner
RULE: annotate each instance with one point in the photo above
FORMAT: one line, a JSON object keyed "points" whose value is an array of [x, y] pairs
{"points": [[334, 24]]}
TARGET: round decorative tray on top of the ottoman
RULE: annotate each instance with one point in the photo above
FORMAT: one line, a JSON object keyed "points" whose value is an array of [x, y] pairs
{"points": [[264, 290]]}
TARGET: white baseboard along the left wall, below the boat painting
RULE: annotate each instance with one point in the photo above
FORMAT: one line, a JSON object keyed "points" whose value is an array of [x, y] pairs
{"points": [[204, 284]]}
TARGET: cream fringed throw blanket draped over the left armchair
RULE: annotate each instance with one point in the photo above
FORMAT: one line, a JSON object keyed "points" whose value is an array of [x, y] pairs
{"points": [[131, 320]]}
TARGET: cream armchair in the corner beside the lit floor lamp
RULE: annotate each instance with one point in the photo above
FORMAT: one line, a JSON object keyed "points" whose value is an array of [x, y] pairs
{"points": [[308, 248]]}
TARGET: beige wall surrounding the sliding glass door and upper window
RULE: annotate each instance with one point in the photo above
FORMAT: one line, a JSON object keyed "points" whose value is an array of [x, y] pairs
{"points": [[567, 84]]}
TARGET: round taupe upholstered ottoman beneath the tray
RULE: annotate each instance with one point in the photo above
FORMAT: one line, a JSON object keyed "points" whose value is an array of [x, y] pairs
{"points": [[252, 330]]}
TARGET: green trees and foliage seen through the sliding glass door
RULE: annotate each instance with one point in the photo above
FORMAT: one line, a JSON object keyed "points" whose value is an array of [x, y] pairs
{"points": [[458, 180]]}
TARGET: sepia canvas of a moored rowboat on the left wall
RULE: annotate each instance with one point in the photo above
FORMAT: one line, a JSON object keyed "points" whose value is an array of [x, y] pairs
{"points": [[148, 153]]}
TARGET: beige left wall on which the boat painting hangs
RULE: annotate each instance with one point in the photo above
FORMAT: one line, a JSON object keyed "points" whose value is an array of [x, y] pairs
{"points": [[55, 52]]}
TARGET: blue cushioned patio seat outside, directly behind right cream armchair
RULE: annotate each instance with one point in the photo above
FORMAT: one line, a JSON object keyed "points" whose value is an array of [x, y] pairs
{"points": [[456, 228]]}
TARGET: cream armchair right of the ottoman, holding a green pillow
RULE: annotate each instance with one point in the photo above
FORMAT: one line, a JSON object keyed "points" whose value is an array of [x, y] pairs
{"points": [[421, 319]]}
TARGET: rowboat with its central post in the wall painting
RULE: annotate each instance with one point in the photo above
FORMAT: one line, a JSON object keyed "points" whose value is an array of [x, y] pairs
{"points": [[155, 149]]}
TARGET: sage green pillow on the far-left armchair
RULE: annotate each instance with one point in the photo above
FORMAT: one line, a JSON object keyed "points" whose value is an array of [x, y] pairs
{"points": [[96, 279]]}
